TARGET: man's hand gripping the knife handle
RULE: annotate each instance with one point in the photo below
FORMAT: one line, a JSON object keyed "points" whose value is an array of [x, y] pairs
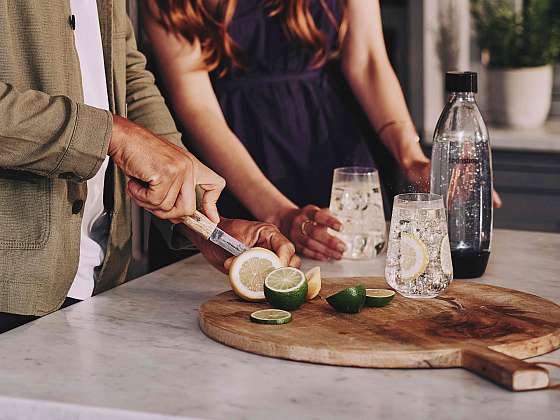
{"points": [[164, 175]]}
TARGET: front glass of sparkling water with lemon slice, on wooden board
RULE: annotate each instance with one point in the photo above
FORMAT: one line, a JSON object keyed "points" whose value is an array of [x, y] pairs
{"points": [[418, 256]]}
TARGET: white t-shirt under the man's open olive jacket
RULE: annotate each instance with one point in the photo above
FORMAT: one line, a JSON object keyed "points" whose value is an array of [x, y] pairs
{"points": [[96, 221]]}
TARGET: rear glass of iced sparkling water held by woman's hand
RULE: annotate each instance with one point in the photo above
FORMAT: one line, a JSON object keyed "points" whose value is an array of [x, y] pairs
{"points": [[356, 201]]}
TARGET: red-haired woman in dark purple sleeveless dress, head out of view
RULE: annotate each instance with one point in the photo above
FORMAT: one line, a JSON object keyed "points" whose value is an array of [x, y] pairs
{"points": [[261, 87]]}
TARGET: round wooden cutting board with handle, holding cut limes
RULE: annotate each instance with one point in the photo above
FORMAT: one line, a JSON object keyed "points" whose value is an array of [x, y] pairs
{"points": [[483, 328]]}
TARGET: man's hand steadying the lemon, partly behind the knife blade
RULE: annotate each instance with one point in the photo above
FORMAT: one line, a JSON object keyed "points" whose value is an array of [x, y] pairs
{"points": [[251, 234]]}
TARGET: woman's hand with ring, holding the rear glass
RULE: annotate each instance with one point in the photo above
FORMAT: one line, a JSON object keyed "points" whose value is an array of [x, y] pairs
{"points": [[307, 229]]}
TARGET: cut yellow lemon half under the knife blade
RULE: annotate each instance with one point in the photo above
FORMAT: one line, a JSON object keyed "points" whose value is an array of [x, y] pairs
{"points": [[248, 271]]}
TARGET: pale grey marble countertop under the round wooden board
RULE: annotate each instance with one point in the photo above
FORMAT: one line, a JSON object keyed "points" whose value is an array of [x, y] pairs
{"points": [[136, 352]]}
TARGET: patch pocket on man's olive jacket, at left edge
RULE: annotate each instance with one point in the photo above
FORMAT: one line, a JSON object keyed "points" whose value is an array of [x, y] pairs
{"points": [[25, 207]]}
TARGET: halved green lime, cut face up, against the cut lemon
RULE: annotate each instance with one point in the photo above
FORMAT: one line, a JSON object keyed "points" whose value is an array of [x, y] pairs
{"points": [[285, 288]]}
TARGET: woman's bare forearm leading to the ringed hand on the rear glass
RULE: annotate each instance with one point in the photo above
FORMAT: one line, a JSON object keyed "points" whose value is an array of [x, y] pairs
{"points": [[222, 150]]}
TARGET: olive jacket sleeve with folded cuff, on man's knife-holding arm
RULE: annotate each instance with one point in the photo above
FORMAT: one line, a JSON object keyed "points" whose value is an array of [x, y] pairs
{"points": [[51, 135]]}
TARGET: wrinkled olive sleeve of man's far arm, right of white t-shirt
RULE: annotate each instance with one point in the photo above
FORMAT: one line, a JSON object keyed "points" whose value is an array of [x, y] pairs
{"points": [[146, 105]]}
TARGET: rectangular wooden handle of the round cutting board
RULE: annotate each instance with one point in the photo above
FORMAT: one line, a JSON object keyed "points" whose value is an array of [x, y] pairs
{"points": [[511, 373]]}
